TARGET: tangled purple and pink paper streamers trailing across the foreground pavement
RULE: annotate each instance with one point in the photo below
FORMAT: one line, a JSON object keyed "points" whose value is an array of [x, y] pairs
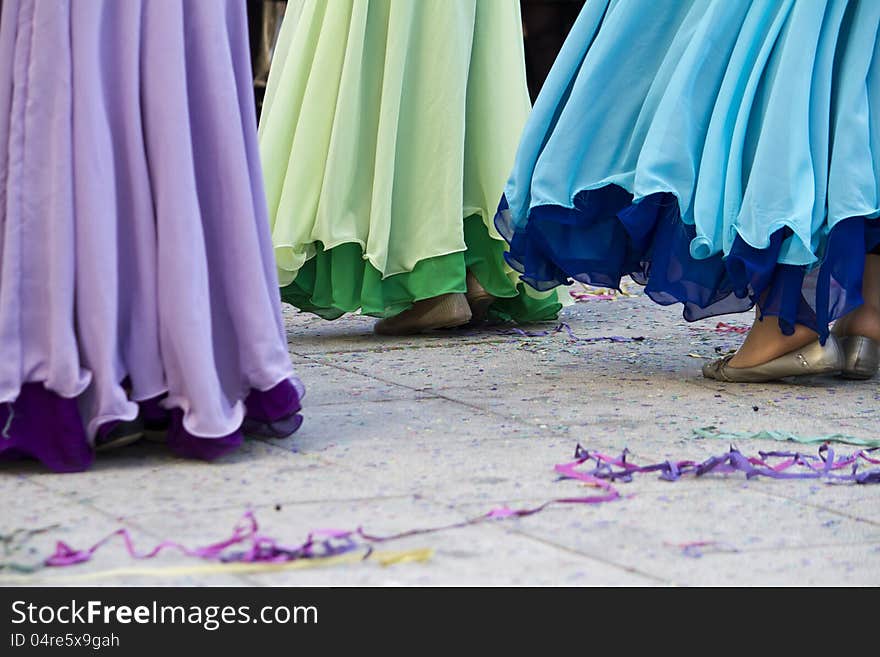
{"points": [[592, 469]]}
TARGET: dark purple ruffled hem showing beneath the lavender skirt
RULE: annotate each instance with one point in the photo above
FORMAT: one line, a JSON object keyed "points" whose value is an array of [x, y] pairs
{"points": [[42, 425]]}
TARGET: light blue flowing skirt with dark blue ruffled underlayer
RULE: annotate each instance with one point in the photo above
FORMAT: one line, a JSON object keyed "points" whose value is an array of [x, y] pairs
{"points": [[722, 153]]}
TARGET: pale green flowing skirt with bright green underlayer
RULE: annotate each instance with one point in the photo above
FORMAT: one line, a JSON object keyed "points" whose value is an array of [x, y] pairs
{"points": [[388, 131]]}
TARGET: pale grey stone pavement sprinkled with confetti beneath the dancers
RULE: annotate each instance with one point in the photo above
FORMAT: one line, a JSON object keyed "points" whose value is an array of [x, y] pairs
{"points": [[427, 431]]}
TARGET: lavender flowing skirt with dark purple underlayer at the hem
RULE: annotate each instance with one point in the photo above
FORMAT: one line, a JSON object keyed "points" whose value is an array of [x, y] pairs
{"points": [[136, 267]]}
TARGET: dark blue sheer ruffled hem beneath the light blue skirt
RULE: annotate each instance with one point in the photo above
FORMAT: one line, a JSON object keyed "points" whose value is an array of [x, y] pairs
{"points": [[606, 236]]}
